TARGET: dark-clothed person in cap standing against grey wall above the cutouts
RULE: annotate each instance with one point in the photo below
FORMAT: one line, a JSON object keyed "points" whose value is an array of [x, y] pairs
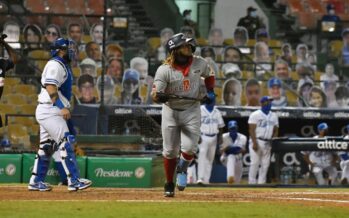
{"points": [[251, 22]]}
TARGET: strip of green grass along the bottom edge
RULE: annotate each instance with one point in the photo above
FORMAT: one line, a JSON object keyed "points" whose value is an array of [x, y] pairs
{"points": [[166, 209]]}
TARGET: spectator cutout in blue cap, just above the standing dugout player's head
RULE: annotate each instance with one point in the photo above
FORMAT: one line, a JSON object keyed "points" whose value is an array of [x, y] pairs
{"points": [[276, 91]]}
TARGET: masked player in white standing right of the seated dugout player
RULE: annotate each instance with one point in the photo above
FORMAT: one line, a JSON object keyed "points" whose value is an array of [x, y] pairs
{"points": [[263, 126]]}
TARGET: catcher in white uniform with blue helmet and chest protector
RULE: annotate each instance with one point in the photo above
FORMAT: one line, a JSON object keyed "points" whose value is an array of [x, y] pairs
{"points": [[52, 114]]}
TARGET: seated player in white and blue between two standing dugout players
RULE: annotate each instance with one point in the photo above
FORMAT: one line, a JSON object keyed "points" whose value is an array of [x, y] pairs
{"points": [[232, 148]]}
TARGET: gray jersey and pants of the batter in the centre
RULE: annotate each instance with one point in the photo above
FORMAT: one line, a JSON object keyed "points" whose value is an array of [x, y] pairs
{"points": [[181, 119]]}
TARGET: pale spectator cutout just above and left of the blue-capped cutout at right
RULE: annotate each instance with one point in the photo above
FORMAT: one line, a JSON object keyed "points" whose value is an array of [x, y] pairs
{"points": [[263, 66]]}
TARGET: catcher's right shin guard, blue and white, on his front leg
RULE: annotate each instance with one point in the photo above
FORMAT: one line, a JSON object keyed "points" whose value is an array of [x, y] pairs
{"points": [[68, 158]]}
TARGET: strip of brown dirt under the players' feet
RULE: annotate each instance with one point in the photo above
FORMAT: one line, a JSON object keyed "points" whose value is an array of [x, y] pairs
{"points": [[320, 197]]}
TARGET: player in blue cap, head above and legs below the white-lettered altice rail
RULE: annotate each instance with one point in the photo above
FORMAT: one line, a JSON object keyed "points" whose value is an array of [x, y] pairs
{"points": [[320, 161]]}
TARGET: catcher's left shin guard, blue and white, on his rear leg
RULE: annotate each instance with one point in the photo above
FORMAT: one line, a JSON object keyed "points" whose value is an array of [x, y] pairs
{"points": [[42, 162]]}
